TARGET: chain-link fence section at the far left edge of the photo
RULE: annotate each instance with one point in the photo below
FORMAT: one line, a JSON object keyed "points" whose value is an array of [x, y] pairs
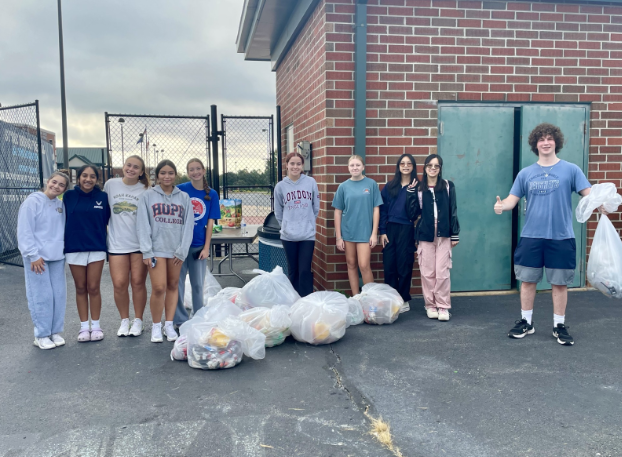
{"points": [[22, 170]]}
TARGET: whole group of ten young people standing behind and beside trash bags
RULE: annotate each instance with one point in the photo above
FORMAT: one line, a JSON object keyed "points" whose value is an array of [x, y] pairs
{"points": [[165, 231]]}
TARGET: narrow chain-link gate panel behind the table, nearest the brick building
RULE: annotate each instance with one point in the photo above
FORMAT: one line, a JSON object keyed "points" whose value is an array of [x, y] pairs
{"points": [[248, 167]]}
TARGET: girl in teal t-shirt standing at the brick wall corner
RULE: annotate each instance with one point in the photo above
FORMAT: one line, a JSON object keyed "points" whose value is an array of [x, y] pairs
{"points": [[357, 214]]}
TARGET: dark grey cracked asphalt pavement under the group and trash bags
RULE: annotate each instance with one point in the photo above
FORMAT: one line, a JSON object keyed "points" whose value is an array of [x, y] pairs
{"points": [[457, 388]]}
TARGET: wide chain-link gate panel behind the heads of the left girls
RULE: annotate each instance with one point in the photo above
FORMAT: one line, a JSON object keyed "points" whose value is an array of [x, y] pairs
{"points": [[155, 138]]}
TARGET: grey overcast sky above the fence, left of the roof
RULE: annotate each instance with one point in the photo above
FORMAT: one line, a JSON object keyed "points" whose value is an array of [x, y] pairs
{"points": [[130, 57]]}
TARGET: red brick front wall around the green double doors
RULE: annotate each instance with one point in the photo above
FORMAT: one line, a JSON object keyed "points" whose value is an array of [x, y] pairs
{"points": [[422, 51]]}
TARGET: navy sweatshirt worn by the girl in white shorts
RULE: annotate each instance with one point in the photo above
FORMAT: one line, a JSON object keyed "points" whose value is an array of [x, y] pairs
{"points": [[87, 219]]}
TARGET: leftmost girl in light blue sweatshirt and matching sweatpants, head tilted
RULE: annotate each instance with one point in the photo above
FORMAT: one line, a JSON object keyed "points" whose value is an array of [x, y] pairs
{"points": [[41, 240]]}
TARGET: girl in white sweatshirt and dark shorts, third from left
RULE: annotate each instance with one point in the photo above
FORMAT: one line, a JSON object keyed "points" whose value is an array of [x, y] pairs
{"points": [[124, 256]]}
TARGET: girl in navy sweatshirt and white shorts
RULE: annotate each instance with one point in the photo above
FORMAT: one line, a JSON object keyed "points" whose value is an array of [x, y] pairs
{"points": [[85, 247]]}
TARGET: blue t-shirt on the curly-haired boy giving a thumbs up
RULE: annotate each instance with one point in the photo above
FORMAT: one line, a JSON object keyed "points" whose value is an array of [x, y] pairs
{"points": [[549, 198]]}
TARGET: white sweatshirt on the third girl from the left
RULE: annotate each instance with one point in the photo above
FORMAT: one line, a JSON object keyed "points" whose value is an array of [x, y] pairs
{"points": [[123, 201]]}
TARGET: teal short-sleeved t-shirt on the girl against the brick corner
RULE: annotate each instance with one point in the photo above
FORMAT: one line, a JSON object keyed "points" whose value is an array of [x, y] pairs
{"points": [[357, 200]]}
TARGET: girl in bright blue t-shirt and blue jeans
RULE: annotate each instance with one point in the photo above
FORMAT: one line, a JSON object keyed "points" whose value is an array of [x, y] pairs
{"points": [[206, 209]]}
